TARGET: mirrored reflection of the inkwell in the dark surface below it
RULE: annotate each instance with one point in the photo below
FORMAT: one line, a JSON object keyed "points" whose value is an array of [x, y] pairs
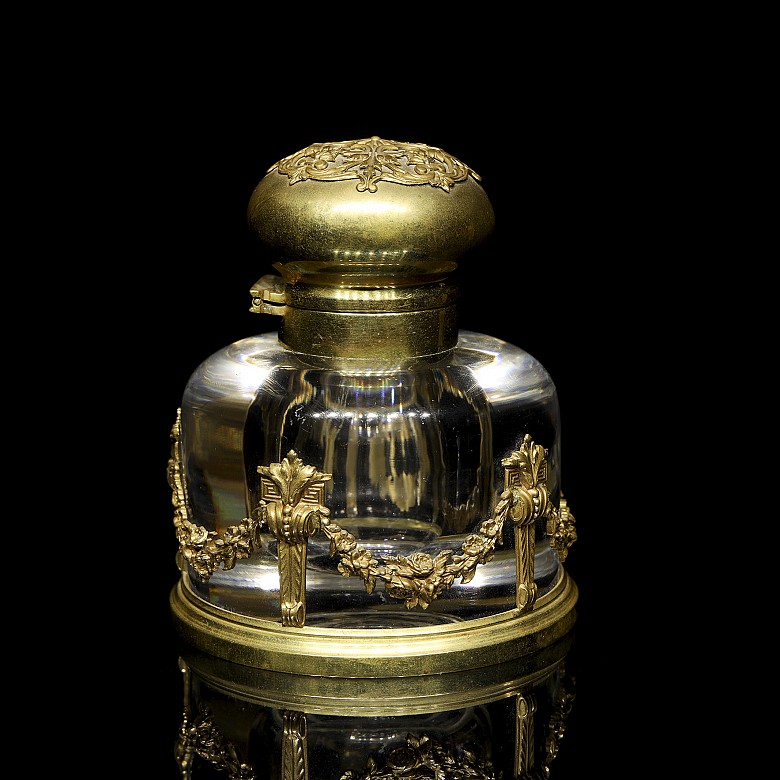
{"points": [[496, 722]]}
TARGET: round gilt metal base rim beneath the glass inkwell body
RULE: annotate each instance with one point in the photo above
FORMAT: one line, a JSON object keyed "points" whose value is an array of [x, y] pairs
{"points": [[373, 653]]}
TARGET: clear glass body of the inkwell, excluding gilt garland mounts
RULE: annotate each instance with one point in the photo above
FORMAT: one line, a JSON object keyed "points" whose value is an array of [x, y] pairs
{"points": [[415, 453]]}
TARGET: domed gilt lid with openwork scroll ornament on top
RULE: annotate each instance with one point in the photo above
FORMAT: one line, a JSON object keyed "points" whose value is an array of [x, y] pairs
{"points": [[369, 213]]}
